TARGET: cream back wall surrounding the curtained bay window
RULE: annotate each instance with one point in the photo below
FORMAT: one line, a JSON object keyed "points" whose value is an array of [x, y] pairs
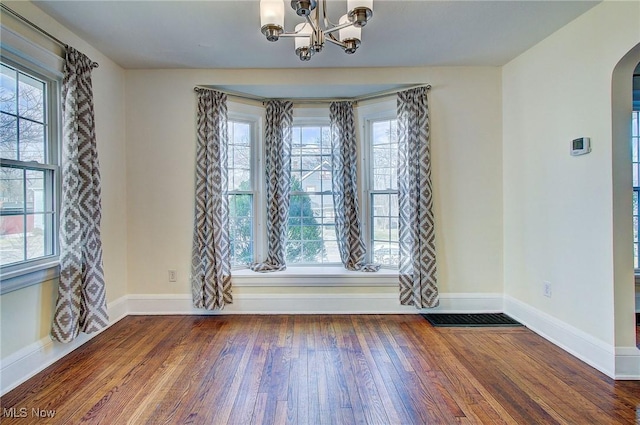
{"points": [[465, 106]]}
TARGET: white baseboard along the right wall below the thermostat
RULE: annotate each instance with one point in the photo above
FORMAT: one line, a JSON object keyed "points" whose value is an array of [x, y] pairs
{"points": [[615, 362]]}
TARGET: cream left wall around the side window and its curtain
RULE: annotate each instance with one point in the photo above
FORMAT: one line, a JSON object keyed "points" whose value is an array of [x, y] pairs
{"points": [[26, 314]]}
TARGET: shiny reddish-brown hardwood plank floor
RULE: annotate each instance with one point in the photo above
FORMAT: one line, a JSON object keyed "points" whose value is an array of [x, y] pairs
{"points": [[360, 369]]}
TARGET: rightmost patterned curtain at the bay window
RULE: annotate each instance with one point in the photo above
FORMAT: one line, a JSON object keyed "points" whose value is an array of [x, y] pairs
{"points": [[417, 269]]}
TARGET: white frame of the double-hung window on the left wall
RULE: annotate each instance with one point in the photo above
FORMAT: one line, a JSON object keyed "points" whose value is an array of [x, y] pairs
{"points": [[30, 58]]}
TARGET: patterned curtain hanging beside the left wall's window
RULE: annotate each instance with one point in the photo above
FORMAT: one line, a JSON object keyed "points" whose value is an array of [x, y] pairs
{"points": [[81, 305]]}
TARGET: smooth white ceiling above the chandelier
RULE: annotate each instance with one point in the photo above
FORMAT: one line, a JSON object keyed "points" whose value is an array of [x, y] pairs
{"points": [[226, 34]]}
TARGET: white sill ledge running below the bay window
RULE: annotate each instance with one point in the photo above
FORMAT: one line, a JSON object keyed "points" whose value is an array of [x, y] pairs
{"points": [[315, 276]]}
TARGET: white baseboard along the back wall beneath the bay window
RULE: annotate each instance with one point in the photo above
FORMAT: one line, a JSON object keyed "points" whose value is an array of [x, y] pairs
{"points": [[320, 303]]}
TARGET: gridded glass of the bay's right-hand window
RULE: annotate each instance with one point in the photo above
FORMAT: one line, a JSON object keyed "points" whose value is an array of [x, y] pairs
{"points": [[383, 191]]}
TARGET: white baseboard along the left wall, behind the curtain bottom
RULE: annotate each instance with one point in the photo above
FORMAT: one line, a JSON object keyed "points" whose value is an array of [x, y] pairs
{"points": [[32, 359]]}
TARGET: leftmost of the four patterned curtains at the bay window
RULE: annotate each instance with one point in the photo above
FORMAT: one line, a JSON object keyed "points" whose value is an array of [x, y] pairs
{"points": [[210, 256]]}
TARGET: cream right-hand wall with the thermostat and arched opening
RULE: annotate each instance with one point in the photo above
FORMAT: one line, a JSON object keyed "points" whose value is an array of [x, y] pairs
{"points": [[558, 209]]}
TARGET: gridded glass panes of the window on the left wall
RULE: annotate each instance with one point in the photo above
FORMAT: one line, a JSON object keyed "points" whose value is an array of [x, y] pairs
{"points": [[28, 170]]}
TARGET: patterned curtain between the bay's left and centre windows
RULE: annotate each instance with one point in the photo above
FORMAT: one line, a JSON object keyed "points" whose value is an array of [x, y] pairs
{"points": [[279, 121]]}
